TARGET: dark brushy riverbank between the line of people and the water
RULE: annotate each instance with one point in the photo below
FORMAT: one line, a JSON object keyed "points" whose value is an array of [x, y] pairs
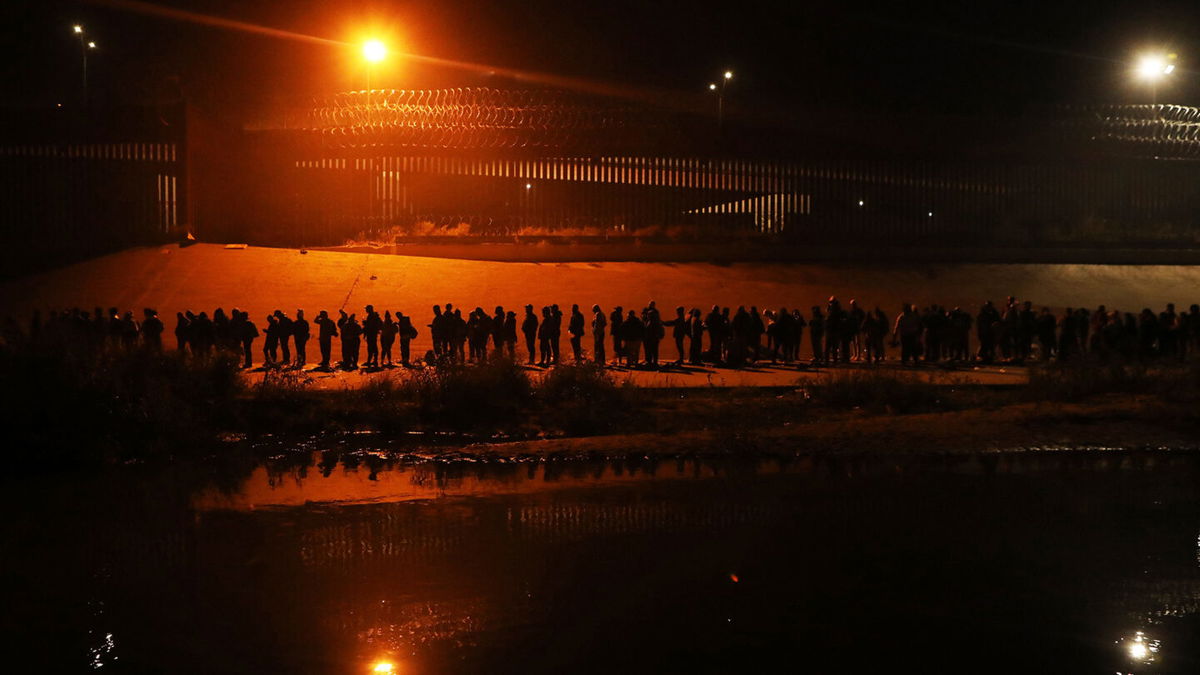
{"points": [[118, 405]]}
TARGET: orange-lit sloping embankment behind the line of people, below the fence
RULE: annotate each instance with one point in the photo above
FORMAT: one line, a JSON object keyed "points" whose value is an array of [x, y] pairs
{"points": [[260, 280]]}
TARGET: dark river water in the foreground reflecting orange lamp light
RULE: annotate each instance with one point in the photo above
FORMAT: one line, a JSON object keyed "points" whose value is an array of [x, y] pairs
{"points": [[1047, 563]]}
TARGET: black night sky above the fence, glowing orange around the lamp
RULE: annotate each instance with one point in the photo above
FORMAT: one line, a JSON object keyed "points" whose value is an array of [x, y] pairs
{"points": [[986, 57]]}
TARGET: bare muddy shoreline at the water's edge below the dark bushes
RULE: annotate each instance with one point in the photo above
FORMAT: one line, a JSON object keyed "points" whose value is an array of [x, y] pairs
{"points": [[1113, 423]]}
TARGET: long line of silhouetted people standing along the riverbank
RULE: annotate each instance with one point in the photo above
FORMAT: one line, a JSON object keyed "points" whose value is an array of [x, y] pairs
{"points": [[1015, 332]]}
